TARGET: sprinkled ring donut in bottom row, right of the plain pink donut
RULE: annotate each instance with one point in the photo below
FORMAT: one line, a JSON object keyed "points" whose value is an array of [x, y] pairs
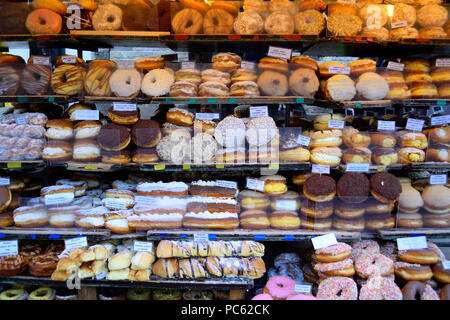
{"points": [[337, 288]]}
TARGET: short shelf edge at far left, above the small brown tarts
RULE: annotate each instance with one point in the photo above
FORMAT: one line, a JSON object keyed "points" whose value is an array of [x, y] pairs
{"points": [[54, 233]]}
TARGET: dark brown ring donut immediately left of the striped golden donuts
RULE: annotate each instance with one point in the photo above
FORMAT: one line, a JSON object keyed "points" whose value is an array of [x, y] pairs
{"points": [[35, 79]]}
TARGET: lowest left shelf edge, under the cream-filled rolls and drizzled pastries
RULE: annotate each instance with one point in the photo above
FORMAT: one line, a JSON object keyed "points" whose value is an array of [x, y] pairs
{"points": [[235, 283]]}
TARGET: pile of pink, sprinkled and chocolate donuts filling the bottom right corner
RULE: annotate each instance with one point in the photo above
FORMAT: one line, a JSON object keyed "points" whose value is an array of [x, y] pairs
{"points": [[336, 272]]}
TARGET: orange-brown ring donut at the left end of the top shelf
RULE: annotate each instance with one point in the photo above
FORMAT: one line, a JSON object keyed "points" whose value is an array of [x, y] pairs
{"points": [[43, 21]]}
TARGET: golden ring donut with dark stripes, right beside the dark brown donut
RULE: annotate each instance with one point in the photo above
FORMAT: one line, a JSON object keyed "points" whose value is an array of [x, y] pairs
{"points": [[67, 79]]}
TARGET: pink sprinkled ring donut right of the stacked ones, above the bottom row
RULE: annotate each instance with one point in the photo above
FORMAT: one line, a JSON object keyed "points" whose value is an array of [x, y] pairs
{"points": [[367, 265]]}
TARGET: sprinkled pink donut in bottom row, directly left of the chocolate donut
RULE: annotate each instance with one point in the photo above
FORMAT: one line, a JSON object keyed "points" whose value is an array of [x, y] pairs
{"points": [[380, 288]]}
